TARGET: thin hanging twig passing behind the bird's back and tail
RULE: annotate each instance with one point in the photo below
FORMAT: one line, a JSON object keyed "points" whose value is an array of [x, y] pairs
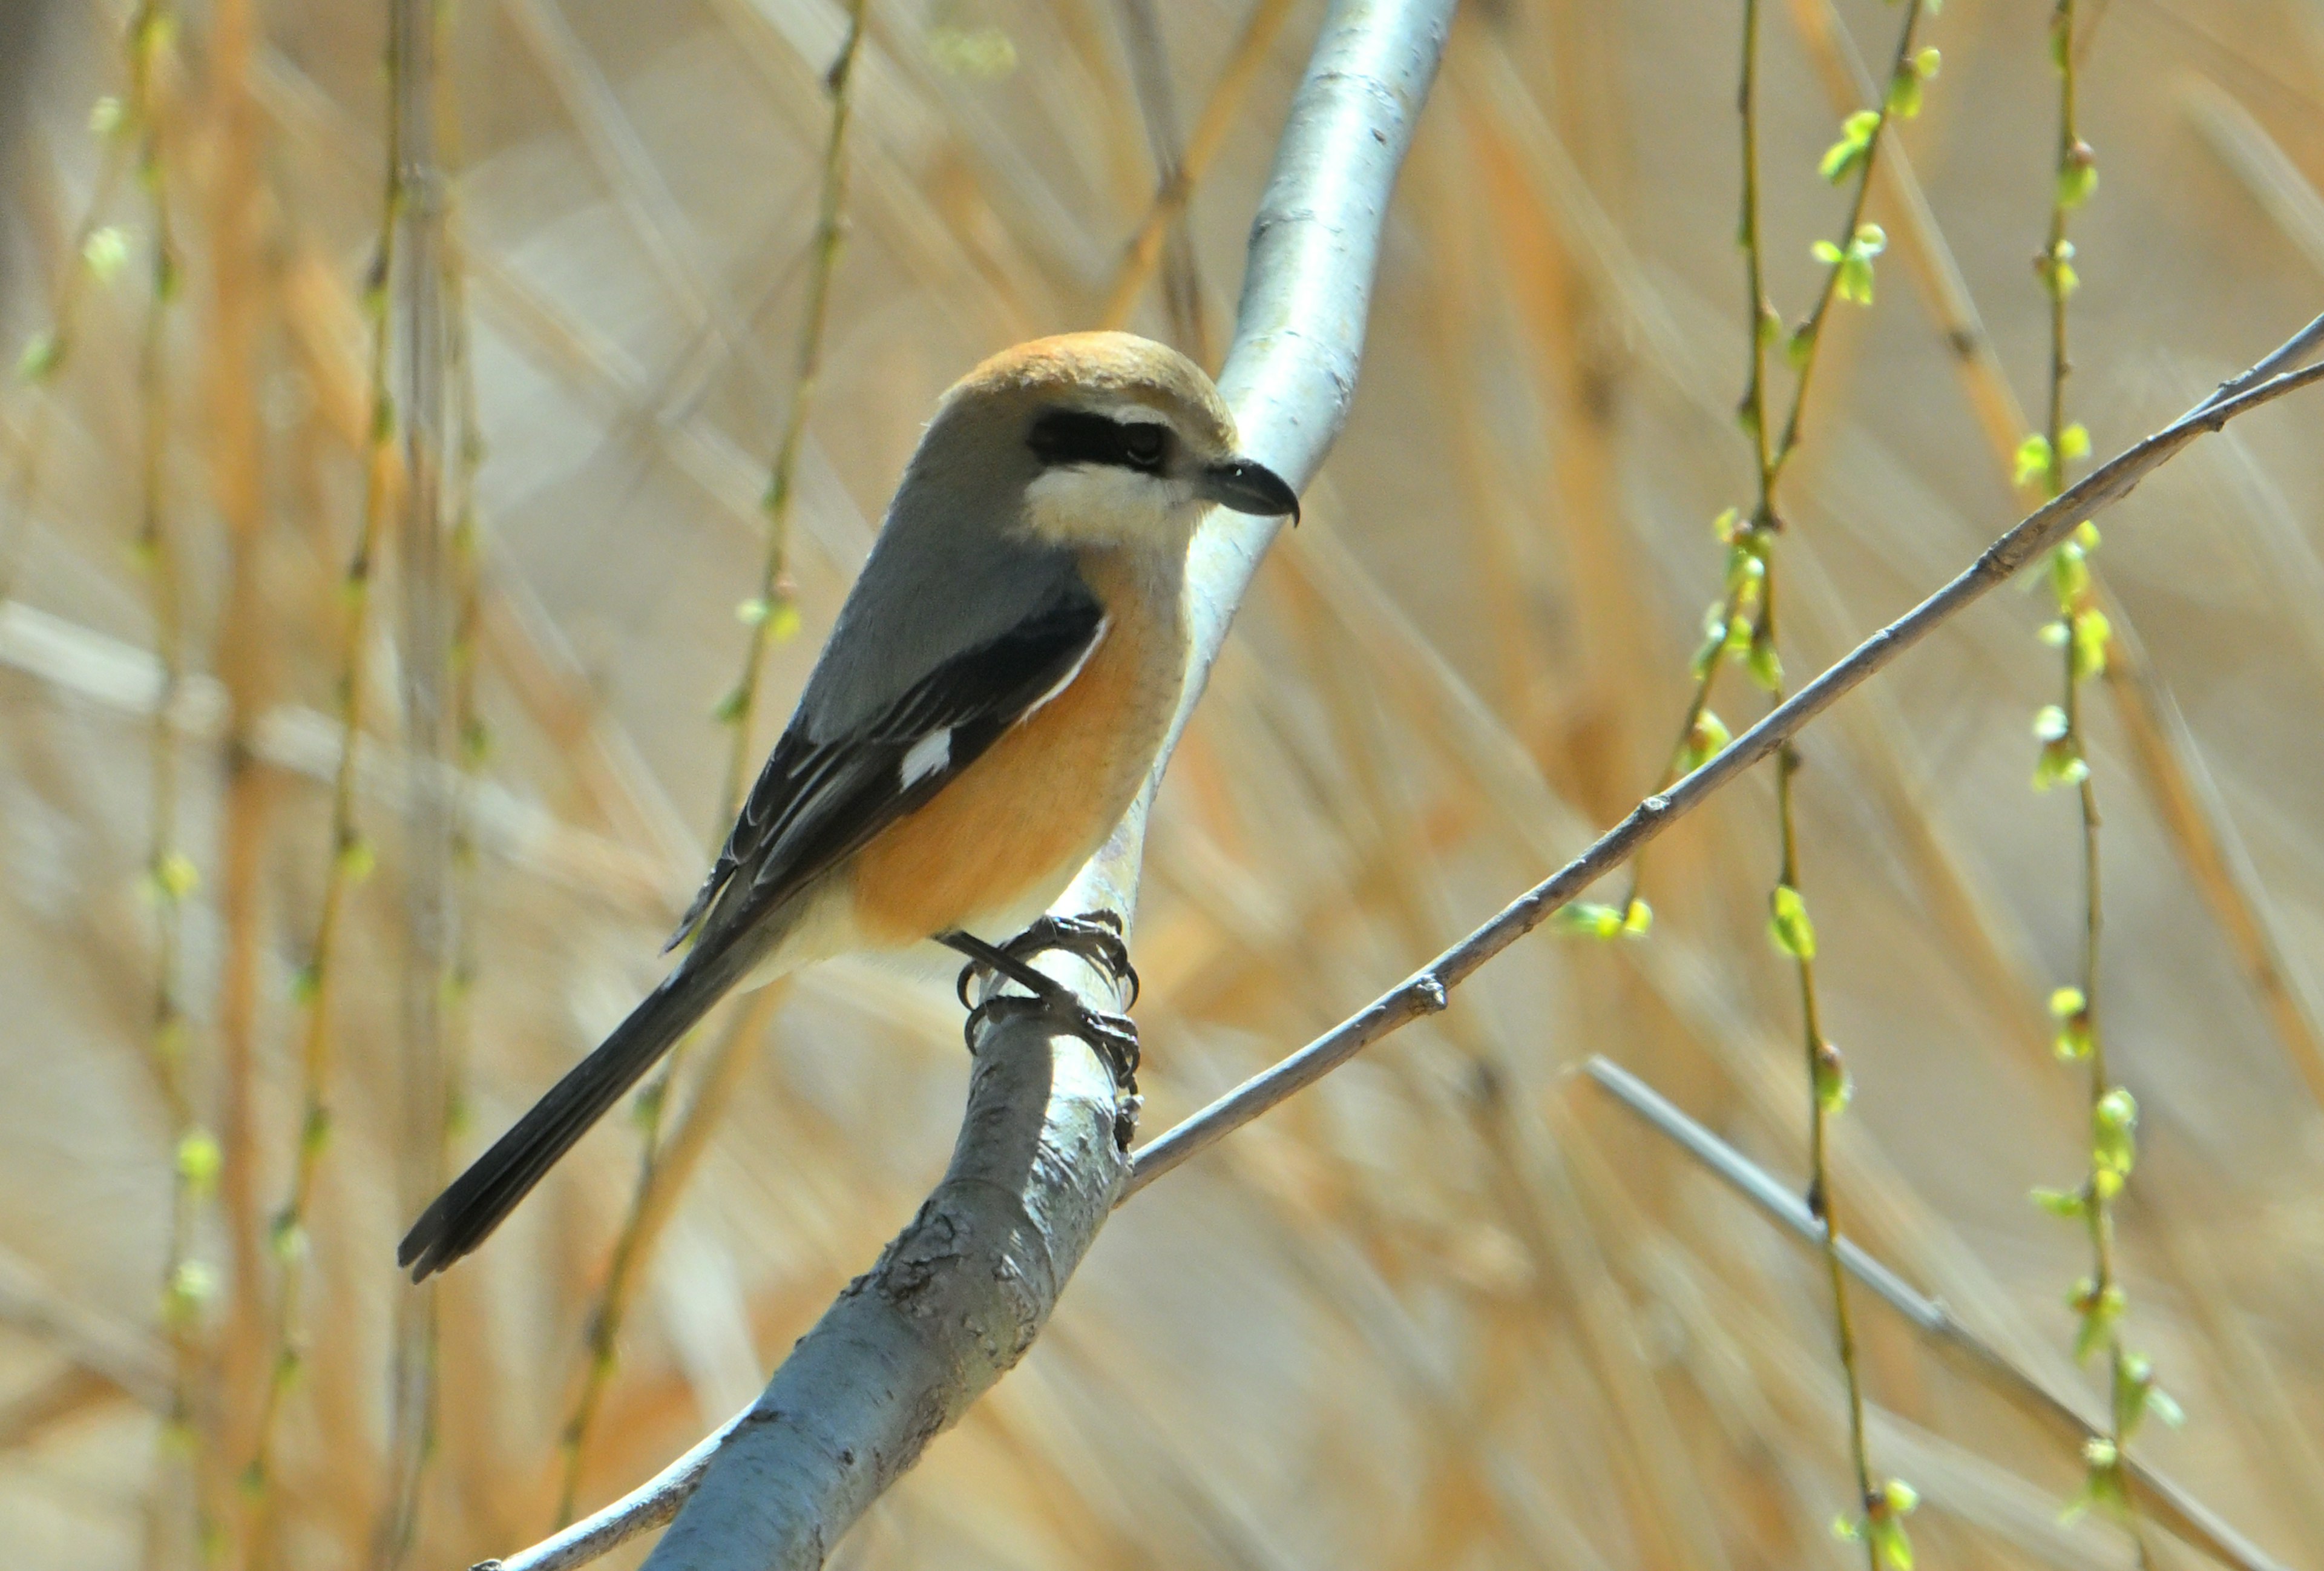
{"points": [[770, 617]]}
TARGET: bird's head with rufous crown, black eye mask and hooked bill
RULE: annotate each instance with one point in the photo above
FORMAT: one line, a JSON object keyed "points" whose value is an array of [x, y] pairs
{"points": [[1119, 440]]}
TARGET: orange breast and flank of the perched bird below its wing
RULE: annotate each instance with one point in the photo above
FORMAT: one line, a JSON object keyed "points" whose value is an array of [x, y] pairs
{"points": [[1042, 801]]}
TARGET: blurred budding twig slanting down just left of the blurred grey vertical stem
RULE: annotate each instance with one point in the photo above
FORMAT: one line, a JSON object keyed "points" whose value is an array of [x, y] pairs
{"points": [[350, 861]]}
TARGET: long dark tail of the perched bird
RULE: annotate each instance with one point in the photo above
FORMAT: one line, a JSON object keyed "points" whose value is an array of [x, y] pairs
{"points": [[489, 1191]]}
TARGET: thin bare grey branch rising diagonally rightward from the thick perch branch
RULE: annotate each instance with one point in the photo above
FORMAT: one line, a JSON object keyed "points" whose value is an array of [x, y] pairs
{"points": [[1428, 991]]}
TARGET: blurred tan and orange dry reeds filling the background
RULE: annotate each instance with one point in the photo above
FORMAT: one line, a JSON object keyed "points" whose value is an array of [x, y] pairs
{"points": [[1451, 1310]]}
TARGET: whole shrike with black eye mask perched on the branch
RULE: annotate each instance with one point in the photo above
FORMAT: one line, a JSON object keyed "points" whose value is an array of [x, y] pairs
{"points": [[987, 708]]}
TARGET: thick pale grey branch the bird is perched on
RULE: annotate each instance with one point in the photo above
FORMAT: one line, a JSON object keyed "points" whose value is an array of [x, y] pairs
{"points": [[968, 1286]]}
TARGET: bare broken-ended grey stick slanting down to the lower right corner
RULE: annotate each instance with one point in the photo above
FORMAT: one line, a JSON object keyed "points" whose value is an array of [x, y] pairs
{"points": [[2165, 1500]]}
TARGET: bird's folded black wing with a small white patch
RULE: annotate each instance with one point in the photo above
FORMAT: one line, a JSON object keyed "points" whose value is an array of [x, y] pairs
{"points": [[819, 801]]}
